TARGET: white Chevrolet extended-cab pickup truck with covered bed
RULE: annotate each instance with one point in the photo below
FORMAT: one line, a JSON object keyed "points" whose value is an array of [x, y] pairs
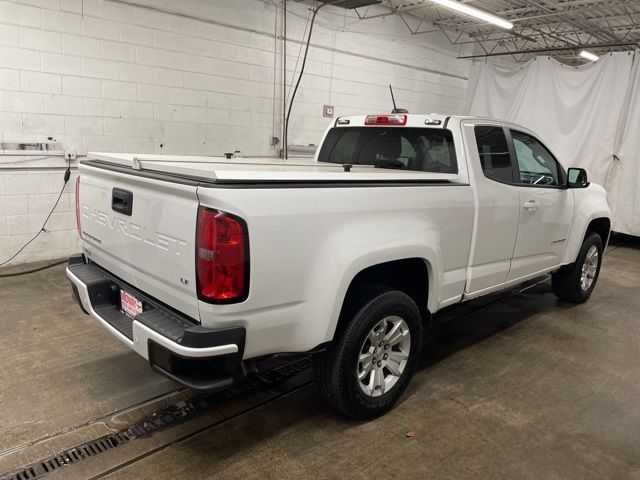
{"points": [[207, 266]]}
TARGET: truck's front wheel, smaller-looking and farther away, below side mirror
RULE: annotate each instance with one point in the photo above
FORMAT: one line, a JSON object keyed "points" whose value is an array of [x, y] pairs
{"points": [[568, 283]]}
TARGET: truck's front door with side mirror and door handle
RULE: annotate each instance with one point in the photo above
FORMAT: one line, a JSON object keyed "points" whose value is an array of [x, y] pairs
{"points": [[546, 207]]}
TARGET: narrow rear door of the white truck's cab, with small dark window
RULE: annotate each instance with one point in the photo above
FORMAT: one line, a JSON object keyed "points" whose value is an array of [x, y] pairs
{"points": [[497, 206]]}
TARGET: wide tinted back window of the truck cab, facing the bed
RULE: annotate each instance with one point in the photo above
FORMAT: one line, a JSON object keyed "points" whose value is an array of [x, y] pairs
{"points": [[418, 149]]}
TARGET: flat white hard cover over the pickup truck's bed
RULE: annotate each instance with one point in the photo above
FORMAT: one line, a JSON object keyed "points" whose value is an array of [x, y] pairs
{"points": [[260, 169]]}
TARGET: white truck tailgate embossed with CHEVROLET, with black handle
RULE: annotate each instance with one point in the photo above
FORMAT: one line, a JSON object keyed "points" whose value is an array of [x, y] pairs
{"points": [[152, 246]]}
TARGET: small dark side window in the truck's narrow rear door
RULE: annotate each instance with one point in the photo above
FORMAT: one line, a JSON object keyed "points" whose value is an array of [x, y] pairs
{"points": [[494, 153]]}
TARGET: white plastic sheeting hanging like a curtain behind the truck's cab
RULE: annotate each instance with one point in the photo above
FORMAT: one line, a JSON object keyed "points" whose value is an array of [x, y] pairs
{"points": [[588, 116]]}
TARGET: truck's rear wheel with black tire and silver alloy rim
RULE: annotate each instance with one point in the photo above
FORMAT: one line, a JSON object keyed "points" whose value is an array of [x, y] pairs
{"points": [[336, 369]]}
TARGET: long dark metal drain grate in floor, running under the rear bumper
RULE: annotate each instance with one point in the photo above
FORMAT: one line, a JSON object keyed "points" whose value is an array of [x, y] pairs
{"points": [[172, 415]]}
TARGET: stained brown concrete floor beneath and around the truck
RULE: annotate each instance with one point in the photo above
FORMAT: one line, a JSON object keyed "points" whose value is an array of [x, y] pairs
{"points": [[512, 386]]}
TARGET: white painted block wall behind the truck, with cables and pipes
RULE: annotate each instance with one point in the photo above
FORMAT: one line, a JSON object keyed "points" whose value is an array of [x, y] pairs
{"points": [[102, 75]]}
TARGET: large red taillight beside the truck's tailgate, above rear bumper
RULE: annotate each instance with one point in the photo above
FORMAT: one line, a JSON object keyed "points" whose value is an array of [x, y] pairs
{"points": [[221, 257]]}
